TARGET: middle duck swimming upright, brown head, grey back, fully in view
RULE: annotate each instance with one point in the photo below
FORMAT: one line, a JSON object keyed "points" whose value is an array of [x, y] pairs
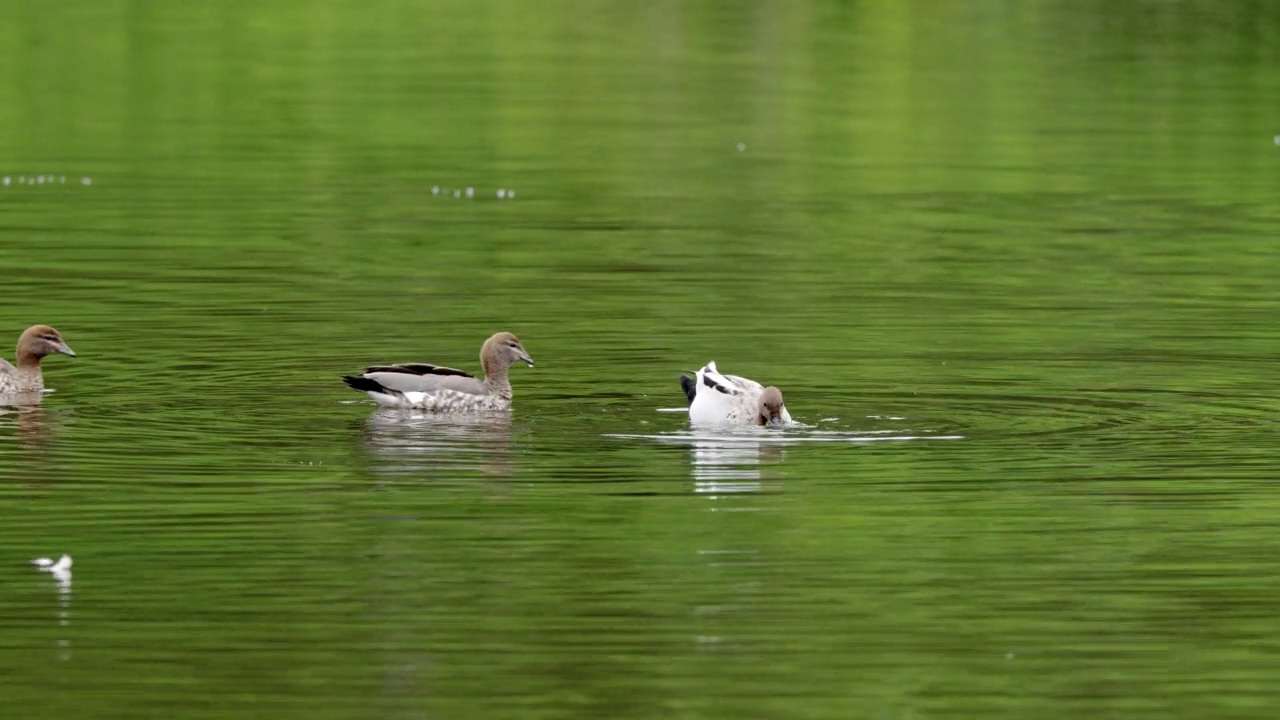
{"points": [[422, 386]]}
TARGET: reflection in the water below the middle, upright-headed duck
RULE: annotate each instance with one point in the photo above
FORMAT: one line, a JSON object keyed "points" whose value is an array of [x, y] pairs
{"points": [[406, 444]]}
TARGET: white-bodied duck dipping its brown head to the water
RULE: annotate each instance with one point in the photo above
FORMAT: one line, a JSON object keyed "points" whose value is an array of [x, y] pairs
{"points": [[720, 399]]}
